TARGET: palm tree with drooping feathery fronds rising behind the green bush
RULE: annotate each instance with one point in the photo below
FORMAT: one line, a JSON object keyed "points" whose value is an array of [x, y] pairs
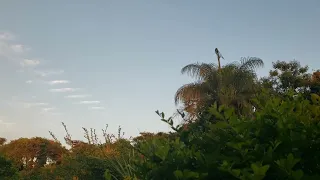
{"points": [[231, 85]]}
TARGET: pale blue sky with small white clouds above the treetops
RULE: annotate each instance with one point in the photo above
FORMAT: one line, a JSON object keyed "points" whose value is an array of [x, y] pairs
{"points": [[115, 62]]}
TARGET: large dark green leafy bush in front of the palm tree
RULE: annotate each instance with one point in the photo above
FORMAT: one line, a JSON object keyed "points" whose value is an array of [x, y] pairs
{"points": [[280, 142]]}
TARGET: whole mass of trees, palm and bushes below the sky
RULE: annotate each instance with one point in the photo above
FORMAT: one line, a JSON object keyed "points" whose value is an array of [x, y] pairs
{"points": [[236, 126]]}
